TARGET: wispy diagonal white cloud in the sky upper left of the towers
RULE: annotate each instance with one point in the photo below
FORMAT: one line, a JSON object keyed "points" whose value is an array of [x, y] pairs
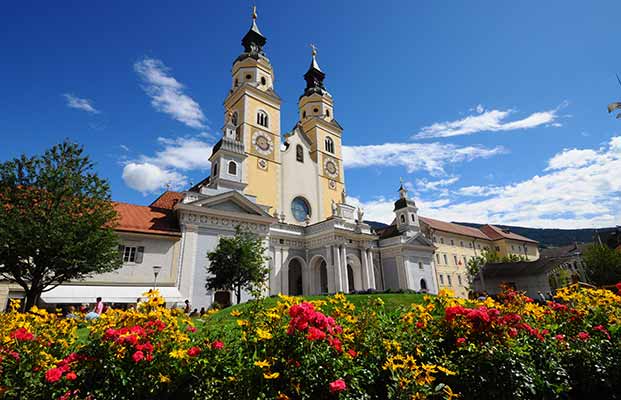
{"points": [[167, 93]]}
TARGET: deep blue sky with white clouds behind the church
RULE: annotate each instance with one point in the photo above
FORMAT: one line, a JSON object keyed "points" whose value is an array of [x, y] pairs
{"points": [[491, 111]]}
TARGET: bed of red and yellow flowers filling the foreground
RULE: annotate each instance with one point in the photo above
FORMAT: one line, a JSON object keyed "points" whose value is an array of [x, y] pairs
{"points": [[323, 349]]}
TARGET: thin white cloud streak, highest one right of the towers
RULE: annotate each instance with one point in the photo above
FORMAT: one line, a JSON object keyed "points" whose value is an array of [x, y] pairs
{"points": [[489, 121]]}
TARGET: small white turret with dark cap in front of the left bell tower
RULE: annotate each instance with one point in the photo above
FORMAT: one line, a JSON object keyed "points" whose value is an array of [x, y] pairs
{"points": [[227, 159]]}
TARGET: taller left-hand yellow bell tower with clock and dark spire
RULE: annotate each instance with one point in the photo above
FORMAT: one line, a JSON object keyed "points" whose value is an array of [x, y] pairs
{"points": [[255, 113]]}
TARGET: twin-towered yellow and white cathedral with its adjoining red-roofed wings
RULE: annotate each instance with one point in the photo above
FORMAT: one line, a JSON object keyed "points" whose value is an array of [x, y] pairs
{"points": [[289, 189]]}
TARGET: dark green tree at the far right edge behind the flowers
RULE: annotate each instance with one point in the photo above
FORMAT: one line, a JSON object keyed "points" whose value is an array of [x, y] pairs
{"points": [[603, 264]]}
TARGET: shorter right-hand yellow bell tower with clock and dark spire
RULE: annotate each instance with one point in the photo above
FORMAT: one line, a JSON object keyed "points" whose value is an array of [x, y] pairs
{"points": [[316, 109]]}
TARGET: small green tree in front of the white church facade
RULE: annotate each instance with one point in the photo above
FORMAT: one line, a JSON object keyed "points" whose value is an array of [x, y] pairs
{"points": [[237, 263]]}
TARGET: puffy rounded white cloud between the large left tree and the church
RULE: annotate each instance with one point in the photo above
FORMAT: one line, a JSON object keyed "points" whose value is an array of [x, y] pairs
{"points": [[147, 178]]}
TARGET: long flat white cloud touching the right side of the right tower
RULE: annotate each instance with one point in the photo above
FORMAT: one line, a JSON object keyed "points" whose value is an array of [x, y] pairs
{"points": [[430, 157]]}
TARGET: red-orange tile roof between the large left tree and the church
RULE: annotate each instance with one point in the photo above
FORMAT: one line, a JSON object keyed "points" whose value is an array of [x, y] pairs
{"points": [[146, 219]]}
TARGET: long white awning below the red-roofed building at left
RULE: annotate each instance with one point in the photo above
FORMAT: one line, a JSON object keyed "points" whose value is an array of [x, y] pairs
{"points": [[108, 294]]}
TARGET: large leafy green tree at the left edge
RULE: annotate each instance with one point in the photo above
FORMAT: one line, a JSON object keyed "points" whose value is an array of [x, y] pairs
{"points": [[56, 221]]}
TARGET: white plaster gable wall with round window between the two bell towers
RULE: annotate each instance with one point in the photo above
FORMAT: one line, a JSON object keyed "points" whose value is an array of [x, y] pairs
{"points": [[299, 179]]}
